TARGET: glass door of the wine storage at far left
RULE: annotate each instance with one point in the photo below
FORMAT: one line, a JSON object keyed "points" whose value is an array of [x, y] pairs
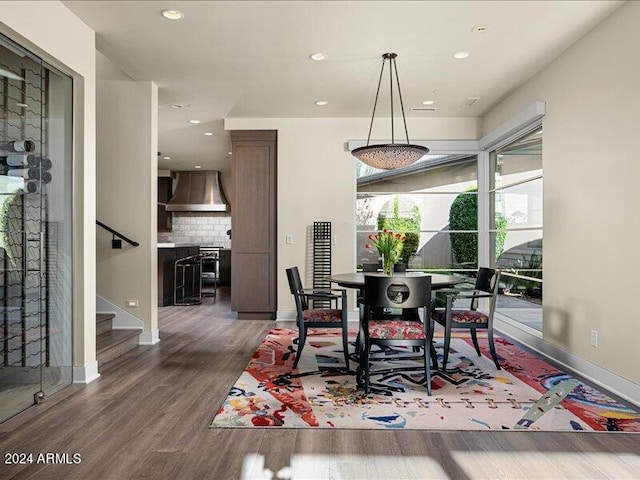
{"points": [[35, 229]]}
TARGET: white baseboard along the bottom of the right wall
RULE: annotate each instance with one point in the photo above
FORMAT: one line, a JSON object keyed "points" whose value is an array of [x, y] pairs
{"points": [[616, 384]]}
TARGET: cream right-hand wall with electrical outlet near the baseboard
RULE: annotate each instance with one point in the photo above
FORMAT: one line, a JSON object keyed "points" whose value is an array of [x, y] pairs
{"points": [[591, 173]]}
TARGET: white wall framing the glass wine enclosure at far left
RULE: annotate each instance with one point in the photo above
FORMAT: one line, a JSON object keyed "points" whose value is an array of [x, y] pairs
{"points": [[51, 31]]}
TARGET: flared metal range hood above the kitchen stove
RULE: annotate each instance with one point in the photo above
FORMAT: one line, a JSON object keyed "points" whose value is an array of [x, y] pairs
{"points": [[198, 192]]}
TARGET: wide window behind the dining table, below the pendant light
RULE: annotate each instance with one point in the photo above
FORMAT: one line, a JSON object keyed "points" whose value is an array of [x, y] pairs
{"points": [[418, 201]]}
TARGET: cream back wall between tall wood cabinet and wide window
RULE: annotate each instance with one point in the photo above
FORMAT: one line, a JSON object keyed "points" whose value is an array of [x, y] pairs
{"points": [[316, 181]]}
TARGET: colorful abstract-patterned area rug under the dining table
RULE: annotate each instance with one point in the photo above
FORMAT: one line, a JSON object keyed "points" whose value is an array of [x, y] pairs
{"points": [[527, 394]]}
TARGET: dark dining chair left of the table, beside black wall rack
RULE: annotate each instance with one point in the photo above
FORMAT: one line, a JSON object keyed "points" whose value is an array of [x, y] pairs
{"points": [[309, 317]]}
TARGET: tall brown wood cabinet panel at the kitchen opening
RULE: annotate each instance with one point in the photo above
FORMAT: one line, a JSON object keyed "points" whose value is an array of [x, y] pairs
{"points": [[253, 251]]}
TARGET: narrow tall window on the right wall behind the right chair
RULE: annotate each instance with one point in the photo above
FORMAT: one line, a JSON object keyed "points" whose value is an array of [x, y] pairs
{"points": [[515, 201]]}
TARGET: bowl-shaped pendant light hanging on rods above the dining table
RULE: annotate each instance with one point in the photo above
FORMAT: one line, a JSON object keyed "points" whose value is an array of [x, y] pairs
{"points": [[393, 155]]}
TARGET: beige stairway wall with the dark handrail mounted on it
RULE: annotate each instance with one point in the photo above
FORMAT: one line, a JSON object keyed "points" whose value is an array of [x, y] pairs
{"points": [[127, 164]]}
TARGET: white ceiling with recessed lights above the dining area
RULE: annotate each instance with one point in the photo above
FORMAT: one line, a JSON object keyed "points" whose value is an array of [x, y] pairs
{"points": [[251, 59]]}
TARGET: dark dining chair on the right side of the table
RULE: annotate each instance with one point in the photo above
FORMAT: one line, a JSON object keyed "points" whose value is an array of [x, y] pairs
{"points": [[486, 286]]}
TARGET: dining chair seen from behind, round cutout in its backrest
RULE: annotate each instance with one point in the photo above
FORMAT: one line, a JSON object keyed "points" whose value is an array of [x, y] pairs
{"points": [[395, 292]]}
